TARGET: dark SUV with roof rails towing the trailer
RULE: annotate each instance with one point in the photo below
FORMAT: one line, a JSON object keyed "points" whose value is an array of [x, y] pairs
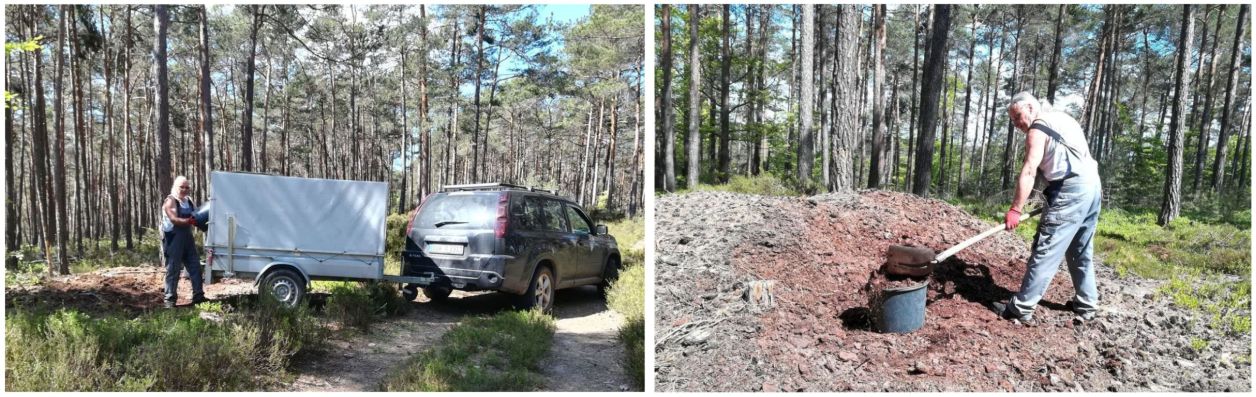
{"points": [[506, 238]]}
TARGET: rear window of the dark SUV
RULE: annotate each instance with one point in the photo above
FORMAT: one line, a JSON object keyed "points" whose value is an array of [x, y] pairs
{"points": [[459, 210]]}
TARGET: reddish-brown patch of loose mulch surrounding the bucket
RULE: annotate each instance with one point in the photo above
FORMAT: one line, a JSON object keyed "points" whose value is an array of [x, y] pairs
{"points": [[827, 277]]}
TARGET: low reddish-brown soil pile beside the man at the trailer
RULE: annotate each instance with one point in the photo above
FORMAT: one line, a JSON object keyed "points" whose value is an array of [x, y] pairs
{"points": [[127, 290]]}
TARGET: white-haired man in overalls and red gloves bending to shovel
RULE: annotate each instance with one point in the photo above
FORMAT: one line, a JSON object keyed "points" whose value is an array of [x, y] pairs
{"points": [[1057, 148]]}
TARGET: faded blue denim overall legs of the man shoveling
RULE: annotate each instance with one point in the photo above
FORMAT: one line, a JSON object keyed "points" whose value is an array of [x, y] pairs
{"points": [[1066, 234]]}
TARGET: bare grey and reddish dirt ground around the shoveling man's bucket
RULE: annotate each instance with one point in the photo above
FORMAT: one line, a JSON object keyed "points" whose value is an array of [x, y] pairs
{"points": [[769, 295]]}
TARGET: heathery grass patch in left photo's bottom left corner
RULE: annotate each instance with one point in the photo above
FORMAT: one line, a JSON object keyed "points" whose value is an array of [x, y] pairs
{"points": [[160, 351]]}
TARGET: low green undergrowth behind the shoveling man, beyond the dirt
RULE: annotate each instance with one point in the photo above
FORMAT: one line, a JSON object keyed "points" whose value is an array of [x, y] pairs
{"points": [[1206, 264]]}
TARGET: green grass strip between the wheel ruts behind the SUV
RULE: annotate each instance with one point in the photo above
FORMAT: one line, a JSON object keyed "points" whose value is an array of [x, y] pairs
{"points": [[503, 352]]}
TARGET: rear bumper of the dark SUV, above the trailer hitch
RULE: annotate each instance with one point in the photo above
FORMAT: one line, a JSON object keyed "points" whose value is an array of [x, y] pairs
{"points": [[465, 273]]}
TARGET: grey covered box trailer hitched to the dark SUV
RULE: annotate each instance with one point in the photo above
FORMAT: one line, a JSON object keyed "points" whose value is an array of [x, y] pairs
{"points": [[284, 232]]}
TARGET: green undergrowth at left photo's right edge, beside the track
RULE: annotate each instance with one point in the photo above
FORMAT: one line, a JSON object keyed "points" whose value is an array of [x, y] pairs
{"points": [[627, 296]]}
